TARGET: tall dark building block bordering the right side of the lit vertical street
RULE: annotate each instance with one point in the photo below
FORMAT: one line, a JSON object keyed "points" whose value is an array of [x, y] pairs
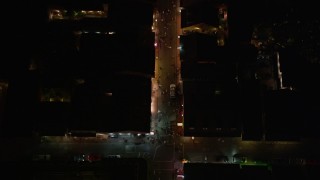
{"points": [[209, 72]]}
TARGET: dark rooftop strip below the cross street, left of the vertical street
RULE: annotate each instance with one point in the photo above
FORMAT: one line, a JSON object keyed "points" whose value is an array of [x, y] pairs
{"points": [[112, 168]]}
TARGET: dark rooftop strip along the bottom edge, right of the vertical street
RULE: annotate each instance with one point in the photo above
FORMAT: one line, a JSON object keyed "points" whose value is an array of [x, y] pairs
{"points": [[274, 170]]}
